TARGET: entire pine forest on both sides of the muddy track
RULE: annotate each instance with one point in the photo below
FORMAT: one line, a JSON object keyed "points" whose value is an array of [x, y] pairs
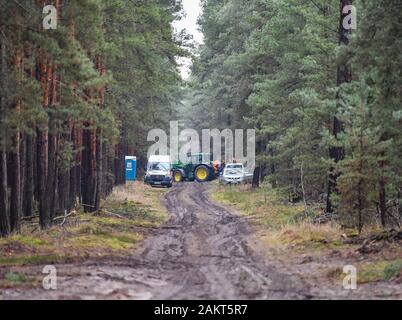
{"points": [[325, 100]]}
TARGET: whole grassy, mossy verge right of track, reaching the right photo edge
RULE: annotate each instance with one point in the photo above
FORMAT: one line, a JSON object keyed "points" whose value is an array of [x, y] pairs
{"points": [[280, 227]]}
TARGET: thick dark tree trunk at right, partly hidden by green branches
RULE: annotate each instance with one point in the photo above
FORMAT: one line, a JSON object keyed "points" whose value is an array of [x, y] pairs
{"points": [[344, 75]]}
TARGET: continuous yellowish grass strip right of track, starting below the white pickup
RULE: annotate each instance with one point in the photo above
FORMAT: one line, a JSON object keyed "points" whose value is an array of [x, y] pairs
{"points": [[267, 208]]}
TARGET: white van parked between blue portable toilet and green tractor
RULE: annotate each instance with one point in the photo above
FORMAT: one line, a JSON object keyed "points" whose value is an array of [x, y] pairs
{"points": [[159, 171]]}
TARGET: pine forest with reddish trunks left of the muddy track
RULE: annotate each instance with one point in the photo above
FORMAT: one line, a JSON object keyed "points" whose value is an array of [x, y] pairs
{"points": [[75, 100]]}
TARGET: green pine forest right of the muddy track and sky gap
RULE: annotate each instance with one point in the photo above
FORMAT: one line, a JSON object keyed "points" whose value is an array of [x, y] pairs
{"points": [[324, 98]]}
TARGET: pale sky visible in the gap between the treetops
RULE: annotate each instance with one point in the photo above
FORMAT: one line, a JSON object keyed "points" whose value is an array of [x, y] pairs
{"points": [[192, 9]]}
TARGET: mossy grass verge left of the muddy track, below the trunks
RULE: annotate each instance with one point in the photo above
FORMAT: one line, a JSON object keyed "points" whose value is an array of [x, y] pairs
{"points": [[116, 228]]}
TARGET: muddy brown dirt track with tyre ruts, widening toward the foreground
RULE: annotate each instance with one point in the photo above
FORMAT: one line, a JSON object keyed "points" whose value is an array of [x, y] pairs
{"points": [[201, 253]]}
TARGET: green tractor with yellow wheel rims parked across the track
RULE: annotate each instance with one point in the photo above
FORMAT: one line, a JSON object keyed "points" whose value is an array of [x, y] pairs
{"points": [[197, 167]]}
